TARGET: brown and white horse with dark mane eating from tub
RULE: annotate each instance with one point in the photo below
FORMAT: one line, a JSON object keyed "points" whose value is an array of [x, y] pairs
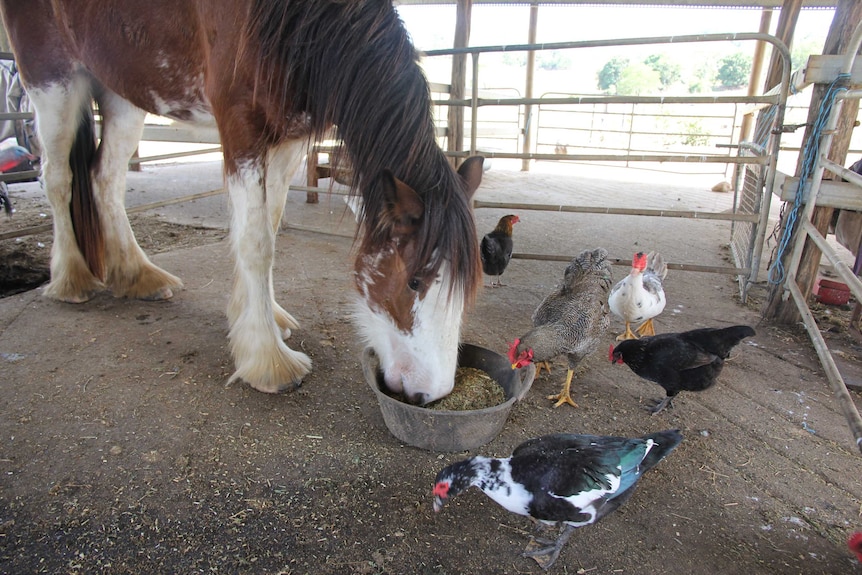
{"points": [[270, 74]]}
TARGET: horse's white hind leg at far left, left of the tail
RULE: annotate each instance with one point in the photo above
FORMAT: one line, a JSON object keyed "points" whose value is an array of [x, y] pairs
{"points": [[58, 109]]}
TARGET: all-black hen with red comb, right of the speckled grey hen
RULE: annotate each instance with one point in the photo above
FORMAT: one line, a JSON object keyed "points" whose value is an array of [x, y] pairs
{"points": [[688, 361]]}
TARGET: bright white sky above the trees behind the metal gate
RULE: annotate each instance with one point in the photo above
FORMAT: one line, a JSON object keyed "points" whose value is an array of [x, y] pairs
{"points": [[432, 27]]}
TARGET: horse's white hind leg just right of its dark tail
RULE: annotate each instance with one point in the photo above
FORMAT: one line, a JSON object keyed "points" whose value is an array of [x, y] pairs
{"points": [[129, 273]]}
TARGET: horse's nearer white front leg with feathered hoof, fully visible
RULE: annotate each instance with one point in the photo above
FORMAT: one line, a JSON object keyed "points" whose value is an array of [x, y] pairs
{"points": [[261, 357]]}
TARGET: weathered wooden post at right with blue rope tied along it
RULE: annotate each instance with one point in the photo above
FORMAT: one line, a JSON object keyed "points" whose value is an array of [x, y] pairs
{"points": [[847, 15]]}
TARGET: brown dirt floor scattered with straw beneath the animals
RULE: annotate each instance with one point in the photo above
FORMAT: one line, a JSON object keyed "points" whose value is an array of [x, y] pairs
{"points": [[122, 451]]}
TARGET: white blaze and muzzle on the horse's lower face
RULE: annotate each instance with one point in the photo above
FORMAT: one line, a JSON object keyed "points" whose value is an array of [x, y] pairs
{"points": [[421, 361]]}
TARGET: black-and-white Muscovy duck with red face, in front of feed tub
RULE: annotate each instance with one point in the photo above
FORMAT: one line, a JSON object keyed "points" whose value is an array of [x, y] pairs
{"points": [[562, 479]]}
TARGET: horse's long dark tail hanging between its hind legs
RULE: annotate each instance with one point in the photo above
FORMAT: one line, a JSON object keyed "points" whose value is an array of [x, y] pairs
{"points": [[85, 216]]}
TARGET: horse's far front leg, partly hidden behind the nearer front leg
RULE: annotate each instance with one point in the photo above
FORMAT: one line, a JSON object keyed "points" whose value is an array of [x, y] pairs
{"points": [[282, 163]]}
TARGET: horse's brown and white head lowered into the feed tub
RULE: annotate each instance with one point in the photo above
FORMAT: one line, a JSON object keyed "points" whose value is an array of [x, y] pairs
{"points": [[410, 310]]}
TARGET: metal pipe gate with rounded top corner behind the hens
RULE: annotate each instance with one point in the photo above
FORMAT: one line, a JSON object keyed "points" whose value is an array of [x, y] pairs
{"points": [[757, 166]]}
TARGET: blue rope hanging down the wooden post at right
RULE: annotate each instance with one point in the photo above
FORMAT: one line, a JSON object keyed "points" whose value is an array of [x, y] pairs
{"points": [[811, 154]]}
